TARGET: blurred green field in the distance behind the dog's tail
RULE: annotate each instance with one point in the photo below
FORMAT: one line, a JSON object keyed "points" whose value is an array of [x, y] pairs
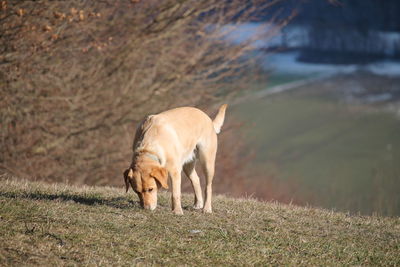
{"points": [[335, 155]]}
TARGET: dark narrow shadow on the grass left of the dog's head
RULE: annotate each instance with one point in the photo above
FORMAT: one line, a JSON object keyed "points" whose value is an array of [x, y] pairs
{"points": [[116, 202]]}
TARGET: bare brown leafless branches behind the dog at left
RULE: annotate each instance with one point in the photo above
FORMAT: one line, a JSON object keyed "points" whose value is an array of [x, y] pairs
{"points": [[77, 75]]}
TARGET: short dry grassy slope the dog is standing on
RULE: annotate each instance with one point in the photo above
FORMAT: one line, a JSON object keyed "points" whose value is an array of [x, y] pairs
{"points": [[43, 224]]}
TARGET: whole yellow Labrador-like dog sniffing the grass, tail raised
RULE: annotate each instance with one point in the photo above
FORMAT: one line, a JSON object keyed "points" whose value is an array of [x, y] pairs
{"points": [[167, 143]]}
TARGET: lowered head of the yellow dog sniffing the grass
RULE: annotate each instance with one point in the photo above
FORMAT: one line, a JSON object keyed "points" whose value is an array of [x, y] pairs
{"points": [[145, 181]]}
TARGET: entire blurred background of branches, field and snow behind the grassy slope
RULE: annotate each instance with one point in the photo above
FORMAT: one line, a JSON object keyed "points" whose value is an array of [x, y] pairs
{"points": [[313, 88]]}
